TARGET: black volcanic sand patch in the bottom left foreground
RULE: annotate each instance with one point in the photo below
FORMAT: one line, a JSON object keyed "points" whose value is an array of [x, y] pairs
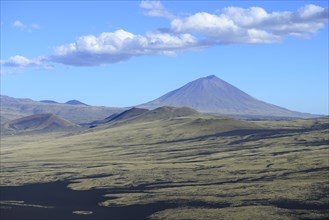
{"points": [[65, 201]]}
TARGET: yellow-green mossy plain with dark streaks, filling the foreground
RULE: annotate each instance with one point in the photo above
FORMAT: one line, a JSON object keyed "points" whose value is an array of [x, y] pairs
{"points": [[205, 167]]}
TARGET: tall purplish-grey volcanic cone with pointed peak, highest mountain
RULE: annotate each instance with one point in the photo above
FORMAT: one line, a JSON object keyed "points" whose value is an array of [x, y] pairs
{"points": [[213, 95]]}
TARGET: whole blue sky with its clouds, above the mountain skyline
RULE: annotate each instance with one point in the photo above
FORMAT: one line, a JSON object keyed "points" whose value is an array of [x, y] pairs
{"points": [[124, 53]]}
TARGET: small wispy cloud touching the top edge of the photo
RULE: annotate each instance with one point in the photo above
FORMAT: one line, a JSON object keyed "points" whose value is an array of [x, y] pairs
{"points": [[156, 9]]}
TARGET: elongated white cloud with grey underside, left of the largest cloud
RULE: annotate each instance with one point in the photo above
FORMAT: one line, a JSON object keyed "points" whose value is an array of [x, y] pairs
{"points": [[113, 47]]}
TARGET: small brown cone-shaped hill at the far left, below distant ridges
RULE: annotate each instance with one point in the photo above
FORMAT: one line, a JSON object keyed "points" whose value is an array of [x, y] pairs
{"points": [[39, 122]]}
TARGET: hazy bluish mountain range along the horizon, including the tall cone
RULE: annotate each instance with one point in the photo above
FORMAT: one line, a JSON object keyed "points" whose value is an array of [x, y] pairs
{"points": [[207, 95]]}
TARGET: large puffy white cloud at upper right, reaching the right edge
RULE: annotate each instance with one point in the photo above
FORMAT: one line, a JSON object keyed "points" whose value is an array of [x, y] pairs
{"points": [[252, 25]]}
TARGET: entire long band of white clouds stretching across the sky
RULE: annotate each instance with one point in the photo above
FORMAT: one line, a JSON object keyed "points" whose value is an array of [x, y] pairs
{"points": [[231, 25]]}
